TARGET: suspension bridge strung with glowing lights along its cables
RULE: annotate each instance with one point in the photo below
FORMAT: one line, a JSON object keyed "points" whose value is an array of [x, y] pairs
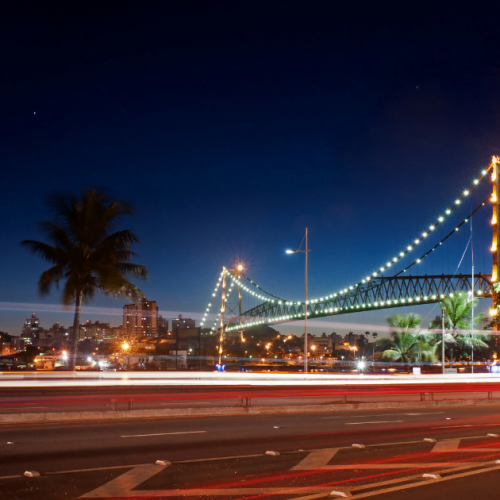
{"points": [[244, 305]]}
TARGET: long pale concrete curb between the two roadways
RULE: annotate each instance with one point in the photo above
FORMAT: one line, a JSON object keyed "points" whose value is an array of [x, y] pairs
{"points": [[20, 418]]}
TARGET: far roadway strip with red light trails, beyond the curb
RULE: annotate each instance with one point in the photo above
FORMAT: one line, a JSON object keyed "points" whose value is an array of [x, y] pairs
{"points": [[59, 399]]}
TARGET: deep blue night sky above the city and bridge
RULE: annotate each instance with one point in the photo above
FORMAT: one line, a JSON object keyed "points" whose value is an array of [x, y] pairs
{"points": [[231, 126]]}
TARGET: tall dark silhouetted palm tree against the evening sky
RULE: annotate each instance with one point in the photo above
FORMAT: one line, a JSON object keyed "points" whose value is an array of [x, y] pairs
{"points": [[85, 252]]}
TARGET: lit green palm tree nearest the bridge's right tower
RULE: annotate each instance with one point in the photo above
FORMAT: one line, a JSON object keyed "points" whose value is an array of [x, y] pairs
{"points": [[458, 317]]}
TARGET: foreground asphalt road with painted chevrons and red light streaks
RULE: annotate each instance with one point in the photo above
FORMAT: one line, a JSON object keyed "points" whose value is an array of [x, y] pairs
{"points": [[225, 457]]}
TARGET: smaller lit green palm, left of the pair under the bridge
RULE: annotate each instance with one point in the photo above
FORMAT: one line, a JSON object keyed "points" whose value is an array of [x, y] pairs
{"points": [[407, 342]]}
